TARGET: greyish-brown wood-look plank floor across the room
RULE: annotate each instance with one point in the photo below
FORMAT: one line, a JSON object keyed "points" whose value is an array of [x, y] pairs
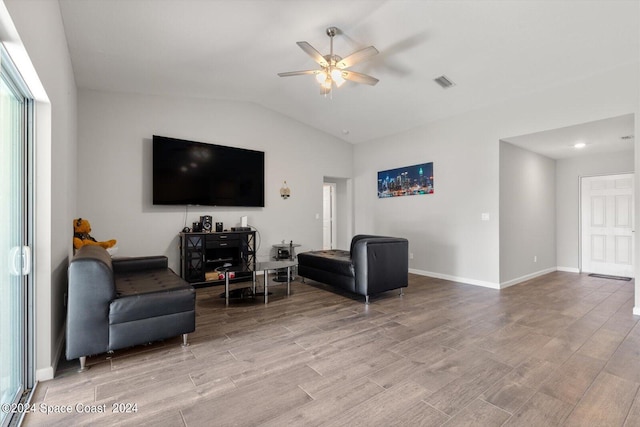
{"points": [[562, 349]]}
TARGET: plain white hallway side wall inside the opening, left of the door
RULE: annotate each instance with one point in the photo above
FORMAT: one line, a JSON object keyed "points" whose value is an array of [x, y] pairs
{"points": [[527, 214]]}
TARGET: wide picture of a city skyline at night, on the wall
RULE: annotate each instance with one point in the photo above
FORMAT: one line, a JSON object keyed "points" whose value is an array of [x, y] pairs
{"points": [[406, 181]]}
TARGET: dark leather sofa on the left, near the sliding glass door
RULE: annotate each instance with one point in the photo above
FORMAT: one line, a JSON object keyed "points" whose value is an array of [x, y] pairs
{"points": [[124, 302]]}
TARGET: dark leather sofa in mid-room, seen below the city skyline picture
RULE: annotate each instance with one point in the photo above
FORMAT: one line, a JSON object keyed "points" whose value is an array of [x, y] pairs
{"points": [[374, 264]]}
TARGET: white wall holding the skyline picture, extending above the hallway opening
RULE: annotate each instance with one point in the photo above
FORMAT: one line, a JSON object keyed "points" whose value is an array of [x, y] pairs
{"points": [[445, 231]]}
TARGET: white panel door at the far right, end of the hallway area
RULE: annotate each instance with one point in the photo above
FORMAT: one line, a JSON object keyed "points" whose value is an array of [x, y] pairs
{"points": [[607, 224]]}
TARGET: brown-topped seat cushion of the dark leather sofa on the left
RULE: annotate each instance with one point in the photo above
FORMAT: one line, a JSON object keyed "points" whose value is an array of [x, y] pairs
{"points": [[148, 294]]}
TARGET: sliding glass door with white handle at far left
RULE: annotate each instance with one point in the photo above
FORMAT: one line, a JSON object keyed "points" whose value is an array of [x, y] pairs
{"points": [[15, 254]]}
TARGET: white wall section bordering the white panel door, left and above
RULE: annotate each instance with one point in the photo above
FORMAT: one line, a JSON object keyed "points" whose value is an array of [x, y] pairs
{"points": [[568, 174]]}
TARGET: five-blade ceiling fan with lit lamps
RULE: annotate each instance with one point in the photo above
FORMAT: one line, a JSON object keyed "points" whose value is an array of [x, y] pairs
{"points": [[334, 68]]}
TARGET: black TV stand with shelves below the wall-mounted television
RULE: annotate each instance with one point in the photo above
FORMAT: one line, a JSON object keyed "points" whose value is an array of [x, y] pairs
{"points": [[203, 255]]}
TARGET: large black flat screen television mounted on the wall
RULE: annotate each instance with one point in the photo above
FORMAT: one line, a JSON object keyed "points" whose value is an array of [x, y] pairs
{"points": [[195, 173]]}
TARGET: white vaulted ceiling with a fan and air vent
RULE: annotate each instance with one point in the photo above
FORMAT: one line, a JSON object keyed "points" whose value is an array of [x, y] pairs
{"points": [[233, 50]]}
